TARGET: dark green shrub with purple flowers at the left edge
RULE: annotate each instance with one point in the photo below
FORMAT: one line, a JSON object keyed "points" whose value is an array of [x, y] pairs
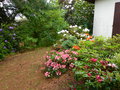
{"points": [[8, 40]]}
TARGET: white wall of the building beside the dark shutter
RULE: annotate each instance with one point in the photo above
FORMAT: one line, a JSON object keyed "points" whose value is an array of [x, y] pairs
{"points": [[103, 18]]}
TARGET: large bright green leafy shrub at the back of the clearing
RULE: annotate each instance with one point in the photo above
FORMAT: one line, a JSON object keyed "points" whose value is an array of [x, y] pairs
{"points": [[42, 24]]}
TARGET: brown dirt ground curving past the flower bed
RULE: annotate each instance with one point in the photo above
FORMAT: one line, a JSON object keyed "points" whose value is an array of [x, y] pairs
{"points": [[22, 72]]}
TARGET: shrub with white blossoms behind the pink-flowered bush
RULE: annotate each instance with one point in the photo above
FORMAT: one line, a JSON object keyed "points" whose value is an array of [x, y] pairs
{"points": [[73, 35]]}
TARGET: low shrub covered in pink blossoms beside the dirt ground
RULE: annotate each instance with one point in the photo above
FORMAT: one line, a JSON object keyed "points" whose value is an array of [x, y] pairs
{"points": [[58, 62]]}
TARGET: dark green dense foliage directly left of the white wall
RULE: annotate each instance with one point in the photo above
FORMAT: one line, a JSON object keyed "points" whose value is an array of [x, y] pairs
{"points": [[81, 13]]}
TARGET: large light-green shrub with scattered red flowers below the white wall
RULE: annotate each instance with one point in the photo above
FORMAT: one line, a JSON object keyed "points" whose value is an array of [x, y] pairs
{"points": [[95, 68]]}
